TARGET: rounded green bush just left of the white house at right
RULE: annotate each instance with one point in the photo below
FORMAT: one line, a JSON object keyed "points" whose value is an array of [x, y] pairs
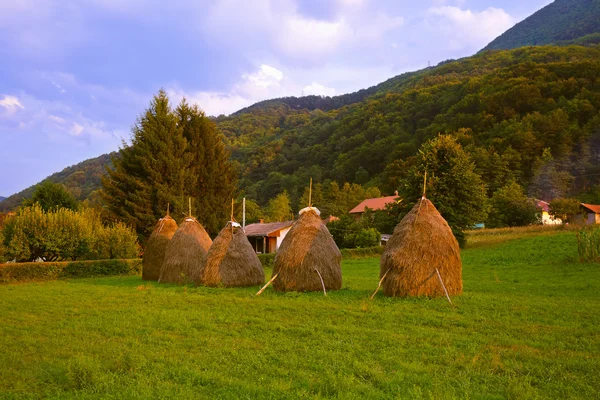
{"points": [[511, 207]]}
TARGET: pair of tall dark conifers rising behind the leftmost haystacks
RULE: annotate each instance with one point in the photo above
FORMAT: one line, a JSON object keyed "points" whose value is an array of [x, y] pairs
{"points": [[175, 154]]}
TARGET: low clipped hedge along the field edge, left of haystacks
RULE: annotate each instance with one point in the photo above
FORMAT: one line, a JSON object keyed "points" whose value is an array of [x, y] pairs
{"points": [[48, 271]]}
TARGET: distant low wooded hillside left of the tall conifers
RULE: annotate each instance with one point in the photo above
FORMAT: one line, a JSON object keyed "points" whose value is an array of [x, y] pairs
{"points": [[82, 180]]}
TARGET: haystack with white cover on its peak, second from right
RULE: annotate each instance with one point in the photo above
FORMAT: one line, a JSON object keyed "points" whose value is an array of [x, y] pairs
{"points": [[308, 246]]}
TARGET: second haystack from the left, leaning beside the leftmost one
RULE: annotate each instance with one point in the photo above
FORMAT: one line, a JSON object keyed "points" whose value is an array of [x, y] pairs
{"points": [[185, 256]]}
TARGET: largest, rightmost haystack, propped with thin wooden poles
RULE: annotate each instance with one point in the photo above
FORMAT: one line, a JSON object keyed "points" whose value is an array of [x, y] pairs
{"points": [[422, 242]]}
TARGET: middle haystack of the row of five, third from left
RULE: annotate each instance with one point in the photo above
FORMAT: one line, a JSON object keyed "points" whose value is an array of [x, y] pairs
{"points": [[231, 261]]}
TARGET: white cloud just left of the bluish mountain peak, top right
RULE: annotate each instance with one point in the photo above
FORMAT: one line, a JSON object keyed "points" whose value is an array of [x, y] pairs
{"points": [[466, 28]]}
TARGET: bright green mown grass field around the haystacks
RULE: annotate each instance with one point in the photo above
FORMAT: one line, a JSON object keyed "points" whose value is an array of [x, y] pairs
{"points": [[526, 327]]}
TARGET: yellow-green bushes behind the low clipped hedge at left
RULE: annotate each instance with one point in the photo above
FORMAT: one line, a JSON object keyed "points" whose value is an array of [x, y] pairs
{"points": [[63, 234]]}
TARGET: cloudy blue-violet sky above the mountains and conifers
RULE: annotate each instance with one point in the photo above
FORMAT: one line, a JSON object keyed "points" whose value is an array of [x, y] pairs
{"points": [[74, 75]]}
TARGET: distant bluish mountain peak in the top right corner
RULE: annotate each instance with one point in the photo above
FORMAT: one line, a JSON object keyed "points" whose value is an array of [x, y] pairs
{"points": [[561, 22]]}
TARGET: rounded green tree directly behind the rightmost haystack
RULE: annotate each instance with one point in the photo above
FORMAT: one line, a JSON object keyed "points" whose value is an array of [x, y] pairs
{"points": [[452, 184]]}
